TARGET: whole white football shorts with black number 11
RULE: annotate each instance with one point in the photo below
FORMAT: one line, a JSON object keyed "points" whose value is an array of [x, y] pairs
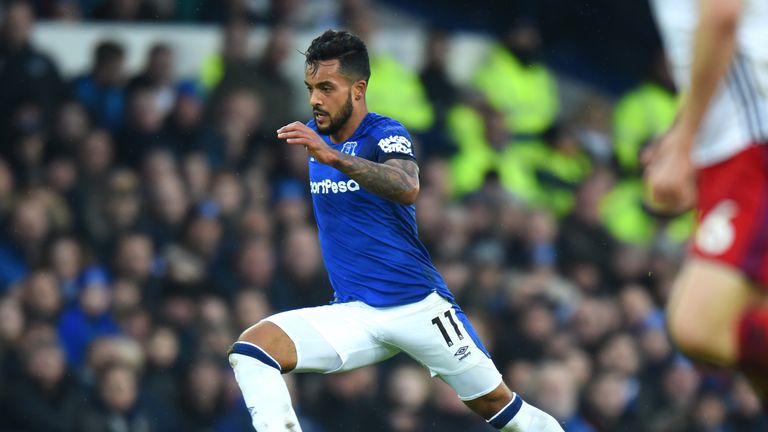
{"points": [[435, 332]]}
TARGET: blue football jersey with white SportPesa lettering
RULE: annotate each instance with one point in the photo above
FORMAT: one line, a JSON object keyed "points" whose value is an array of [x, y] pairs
{"points": [[371, 245]]}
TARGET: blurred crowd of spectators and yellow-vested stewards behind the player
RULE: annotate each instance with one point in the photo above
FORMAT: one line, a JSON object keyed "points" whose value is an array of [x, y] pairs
{"points": [[148, 219]]}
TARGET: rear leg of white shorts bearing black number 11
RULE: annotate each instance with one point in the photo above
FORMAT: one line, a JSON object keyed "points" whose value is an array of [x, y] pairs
{"points": [[438, 334]]}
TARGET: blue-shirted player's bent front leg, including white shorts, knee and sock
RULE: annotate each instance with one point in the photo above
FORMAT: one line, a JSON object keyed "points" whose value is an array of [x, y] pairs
{"points": [[324, 339]]}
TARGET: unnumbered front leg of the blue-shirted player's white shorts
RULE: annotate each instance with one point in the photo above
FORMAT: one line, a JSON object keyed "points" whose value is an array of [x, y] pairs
{"points": [[331, 338]]}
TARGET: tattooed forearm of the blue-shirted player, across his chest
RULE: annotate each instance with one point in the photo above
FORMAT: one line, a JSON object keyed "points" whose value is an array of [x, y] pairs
{"points": [[396, 179]]}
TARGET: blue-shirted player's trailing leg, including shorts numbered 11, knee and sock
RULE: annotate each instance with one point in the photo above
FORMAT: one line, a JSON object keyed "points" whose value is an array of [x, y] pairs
{"points": [[437, 333]]}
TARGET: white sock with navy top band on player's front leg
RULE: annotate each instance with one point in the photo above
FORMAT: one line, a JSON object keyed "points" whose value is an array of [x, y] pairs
{"points": [[264, 390]]}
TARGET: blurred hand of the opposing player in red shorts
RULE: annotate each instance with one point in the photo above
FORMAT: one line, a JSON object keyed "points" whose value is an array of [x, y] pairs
{"points": [[669, 174]]}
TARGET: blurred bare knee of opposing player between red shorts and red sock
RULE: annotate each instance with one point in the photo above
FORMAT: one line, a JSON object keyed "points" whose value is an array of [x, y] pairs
{"points": [[705, 306]]}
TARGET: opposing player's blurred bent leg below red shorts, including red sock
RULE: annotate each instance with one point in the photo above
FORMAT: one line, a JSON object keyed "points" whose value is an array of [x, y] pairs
{"points": [[717, 316]]}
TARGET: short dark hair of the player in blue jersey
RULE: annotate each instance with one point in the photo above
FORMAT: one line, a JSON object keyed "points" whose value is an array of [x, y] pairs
{"points": [[349, 49]]}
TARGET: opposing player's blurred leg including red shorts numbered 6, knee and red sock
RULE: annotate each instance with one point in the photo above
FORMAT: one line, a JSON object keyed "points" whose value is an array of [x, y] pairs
{"points": [[717, 311]]}
